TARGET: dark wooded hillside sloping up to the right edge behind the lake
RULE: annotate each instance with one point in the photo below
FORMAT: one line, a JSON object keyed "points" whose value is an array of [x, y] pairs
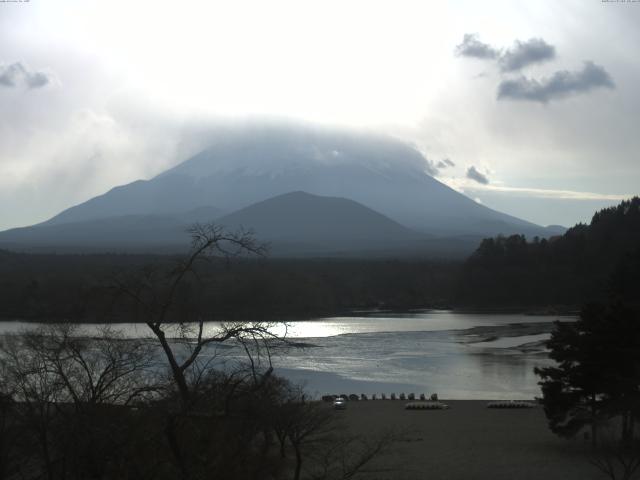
{"points": [[567, 270]]}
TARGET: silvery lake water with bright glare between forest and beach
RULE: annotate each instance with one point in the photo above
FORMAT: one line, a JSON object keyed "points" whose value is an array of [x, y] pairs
{"points": [[457, 355]]}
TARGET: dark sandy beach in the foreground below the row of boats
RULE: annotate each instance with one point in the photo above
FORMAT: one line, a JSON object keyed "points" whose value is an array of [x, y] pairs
{"points": [[470, 441]]}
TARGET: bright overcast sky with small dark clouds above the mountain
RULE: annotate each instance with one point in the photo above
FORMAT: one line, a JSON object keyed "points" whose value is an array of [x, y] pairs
{"points": [[531, 107]]}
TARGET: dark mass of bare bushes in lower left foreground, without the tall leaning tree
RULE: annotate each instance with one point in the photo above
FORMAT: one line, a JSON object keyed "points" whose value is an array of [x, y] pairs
{"points": [[108, 408]]}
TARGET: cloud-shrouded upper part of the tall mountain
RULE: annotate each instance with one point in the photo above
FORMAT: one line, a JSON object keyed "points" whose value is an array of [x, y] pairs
{"points": [[279, 149]]}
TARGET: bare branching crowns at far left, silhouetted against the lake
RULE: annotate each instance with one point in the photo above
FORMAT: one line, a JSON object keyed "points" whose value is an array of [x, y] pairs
{"points": [[105, 368]]}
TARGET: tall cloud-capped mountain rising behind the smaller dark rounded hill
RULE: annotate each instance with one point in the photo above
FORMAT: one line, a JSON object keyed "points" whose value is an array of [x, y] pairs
{"points": [[243, 166]]}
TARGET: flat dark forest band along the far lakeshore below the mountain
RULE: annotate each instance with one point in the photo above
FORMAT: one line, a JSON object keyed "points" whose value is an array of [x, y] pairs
{"points": [[80, 288]]}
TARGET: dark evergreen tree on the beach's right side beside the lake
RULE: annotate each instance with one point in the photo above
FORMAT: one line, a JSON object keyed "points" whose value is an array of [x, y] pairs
{"points": [[598, 372]]}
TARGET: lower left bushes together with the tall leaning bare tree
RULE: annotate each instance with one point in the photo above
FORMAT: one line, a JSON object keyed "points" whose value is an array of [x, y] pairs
{"points": [[73, 407]]}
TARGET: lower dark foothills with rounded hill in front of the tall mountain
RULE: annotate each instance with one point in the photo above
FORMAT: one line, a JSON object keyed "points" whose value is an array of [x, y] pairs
{"points": [[297, 223]]}
